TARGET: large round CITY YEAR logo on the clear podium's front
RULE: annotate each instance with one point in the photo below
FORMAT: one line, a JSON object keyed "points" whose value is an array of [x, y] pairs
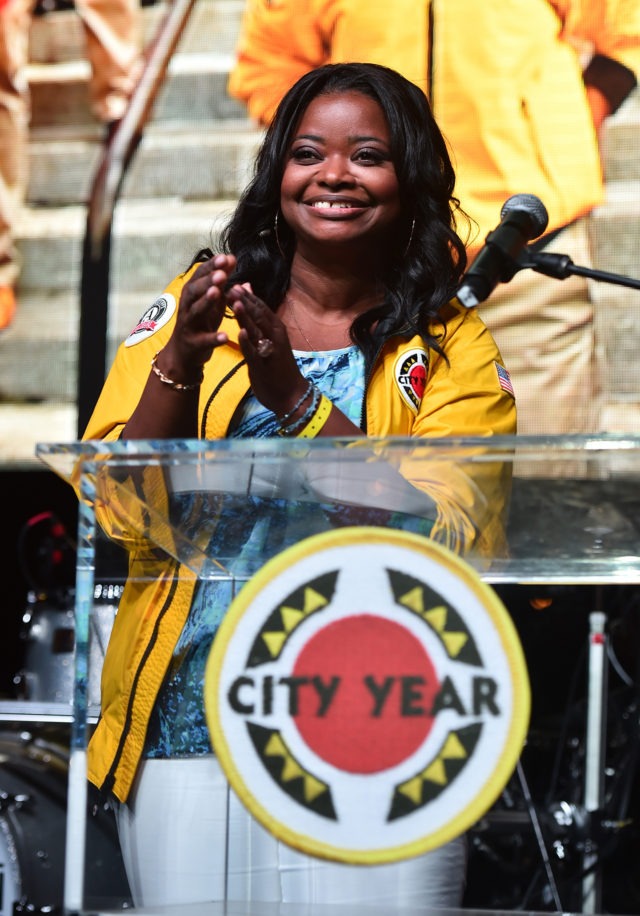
{"points": [[367, 695]]}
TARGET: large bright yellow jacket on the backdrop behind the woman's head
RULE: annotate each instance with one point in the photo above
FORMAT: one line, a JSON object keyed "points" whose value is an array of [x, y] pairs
{"points": [[504, 77]]}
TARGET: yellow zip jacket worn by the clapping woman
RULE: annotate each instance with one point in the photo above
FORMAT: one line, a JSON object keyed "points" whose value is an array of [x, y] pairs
{"points": [[462, 397]]}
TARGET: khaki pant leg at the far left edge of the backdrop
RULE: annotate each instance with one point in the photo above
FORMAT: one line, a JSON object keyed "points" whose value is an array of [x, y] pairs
{"points": [[15, 21]]}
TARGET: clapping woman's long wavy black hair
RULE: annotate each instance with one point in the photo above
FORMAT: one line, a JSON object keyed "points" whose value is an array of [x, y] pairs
{"points": [[424, 271]]}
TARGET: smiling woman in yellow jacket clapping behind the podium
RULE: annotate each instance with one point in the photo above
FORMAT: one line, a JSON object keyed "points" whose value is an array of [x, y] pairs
{"points": [[338, 266]]}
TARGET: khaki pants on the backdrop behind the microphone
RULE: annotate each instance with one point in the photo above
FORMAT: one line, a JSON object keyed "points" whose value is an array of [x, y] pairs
{"points": [[545, 331]]}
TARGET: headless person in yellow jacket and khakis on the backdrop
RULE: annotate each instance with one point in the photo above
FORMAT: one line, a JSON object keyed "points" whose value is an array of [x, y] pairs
{"points": [[520, 89]]}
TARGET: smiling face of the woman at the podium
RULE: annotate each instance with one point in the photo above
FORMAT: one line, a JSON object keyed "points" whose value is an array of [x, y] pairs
{"points": [[339, 183]]}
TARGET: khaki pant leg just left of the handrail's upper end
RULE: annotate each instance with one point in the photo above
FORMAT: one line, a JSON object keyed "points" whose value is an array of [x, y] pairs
{"points": [[112, 29]]}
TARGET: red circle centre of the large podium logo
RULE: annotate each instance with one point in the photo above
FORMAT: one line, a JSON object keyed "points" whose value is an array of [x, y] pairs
{"points": [[373, 690]]}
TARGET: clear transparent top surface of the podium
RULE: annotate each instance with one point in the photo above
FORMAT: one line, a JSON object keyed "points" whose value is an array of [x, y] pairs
{"points": [[569, 505]]}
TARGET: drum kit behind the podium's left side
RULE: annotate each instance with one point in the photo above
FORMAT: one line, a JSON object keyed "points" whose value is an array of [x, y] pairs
{"points": [[34, 737]]}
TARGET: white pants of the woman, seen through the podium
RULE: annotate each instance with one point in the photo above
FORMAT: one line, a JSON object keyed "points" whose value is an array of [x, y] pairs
{"points": [[176, 851]]}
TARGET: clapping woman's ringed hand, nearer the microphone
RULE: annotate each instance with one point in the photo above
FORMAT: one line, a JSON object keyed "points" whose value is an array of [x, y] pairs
{"points": [[275, 377]]}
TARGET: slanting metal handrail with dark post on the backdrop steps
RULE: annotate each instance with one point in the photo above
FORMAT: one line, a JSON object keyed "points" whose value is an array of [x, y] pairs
{"points": [[117, 155]]}
